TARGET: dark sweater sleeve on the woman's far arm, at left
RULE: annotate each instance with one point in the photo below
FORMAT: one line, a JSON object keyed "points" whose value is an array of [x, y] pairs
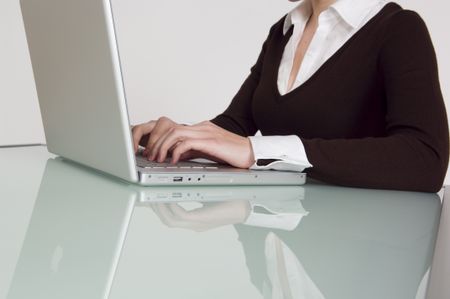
{"points": [[238, 117]]}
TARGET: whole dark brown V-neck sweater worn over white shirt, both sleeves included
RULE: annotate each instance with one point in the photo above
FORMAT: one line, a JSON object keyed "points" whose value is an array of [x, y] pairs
{"points": [[371, 116]]}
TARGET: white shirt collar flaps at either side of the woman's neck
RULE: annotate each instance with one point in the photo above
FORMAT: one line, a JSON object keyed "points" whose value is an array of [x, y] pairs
{"points": [[352, 12]]}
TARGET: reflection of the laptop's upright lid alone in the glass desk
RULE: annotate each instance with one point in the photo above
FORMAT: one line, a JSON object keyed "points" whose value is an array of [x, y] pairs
{"points": [[74, 238]]}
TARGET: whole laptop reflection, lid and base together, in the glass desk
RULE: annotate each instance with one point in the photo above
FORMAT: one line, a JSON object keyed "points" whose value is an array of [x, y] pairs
{"points": [[80, 221]]}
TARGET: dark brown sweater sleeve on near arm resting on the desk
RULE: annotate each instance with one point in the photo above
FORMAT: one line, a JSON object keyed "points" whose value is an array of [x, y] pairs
{"points": [[414, 153]]}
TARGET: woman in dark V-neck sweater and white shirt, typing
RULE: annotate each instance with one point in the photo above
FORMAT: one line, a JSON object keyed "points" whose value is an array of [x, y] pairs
{"points": [[348, 89]]}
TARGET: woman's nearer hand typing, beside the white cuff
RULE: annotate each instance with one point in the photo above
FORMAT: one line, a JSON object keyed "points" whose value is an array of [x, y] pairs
{"points": [[204, 140]]}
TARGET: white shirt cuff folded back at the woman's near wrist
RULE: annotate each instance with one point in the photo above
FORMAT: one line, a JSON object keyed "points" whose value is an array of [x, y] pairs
{"points": [[287, 150]]}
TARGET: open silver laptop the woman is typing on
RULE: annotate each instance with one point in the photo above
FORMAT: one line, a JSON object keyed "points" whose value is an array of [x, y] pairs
{"points": [[76, 67]]}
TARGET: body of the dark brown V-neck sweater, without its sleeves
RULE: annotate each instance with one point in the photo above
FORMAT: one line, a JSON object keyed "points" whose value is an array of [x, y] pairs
{"points": [[347, 90]]}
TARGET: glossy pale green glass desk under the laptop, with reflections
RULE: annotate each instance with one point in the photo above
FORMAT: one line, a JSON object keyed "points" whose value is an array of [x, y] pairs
{"points": [[69, 232]]}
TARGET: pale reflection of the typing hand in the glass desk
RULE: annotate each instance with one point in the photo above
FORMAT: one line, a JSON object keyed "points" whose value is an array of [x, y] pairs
{"points": [[209, 216]]}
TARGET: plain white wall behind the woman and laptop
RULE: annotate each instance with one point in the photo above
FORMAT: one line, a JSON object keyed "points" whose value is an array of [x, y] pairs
{"points": [[184, 59]]}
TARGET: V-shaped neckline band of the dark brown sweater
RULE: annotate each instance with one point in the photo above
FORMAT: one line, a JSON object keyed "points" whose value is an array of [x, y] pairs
{"points": [[307, 82]]}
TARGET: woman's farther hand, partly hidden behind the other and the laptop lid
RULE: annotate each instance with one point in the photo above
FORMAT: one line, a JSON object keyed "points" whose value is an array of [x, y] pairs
{"points": [[148, 134]]}
